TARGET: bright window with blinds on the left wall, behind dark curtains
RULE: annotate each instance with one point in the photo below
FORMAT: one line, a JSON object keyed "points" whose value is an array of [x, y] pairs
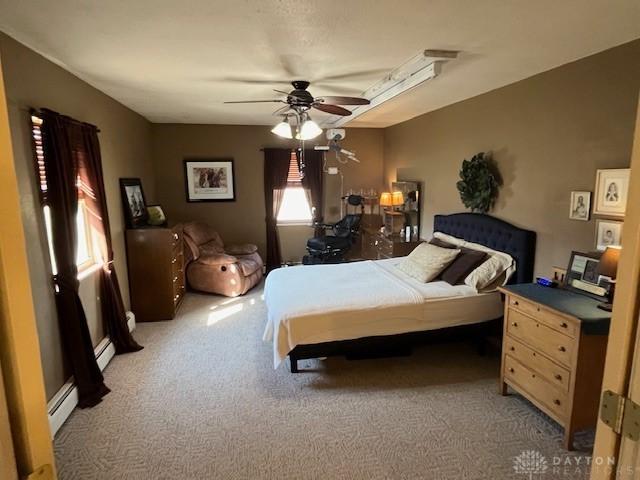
{"points": [[85, 258]]}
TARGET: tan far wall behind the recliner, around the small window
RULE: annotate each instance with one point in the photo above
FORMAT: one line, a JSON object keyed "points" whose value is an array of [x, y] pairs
{"points": [[243, 220]]}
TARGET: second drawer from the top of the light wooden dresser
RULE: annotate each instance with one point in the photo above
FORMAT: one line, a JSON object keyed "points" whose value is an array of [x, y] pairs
{"points": [[539, 336]]}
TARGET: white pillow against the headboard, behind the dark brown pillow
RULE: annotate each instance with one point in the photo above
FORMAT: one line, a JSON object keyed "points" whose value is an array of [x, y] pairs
{"points": [[490, 274]]}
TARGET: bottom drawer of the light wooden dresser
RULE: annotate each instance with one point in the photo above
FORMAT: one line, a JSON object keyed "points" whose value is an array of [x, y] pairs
{"points": [[535, 387]]}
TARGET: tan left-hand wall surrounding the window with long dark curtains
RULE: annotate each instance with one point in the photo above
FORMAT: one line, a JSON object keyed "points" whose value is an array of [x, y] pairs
{"points": [[125, 138]]}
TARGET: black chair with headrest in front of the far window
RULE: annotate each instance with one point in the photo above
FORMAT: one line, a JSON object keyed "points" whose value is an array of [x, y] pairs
{"points": [[332, 248]]}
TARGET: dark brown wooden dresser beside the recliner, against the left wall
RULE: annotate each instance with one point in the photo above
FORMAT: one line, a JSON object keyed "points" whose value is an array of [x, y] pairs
{"points": [[155, 257]]}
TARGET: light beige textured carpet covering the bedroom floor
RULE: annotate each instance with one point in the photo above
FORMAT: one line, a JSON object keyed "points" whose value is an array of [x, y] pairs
{"points": [[202, 401]]}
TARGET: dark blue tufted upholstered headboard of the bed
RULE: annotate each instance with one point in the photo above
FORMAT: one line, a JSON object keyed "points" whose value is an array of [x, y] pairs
{"points": [[496, 234]]}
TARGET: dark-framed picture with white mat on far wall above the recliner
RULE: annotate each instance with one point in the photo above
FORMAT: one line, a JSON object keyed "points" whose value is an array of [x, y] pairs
{"points": [[209, 180]]}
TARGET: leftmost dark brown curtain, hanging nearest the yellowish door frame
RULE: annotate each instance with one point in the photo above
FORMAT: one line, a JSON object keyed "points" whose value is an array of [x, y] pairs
{"points": [[60, 136]]}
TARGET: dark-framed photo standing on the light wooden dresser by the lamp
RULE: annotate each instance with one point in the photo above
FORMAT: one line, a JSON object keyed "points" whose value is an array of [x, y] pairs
{"points": [[582, 275]]}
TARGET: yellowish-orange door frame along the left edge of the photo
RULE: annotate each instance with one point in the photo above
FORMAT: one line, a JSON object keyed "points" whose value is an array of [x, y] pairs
{"points": [[19, 345]]}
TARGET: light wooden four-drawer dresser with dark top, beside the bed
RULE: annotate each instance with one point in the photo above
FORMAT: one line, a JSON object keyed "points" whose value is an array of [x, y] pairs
{"points": [[553, 353]]}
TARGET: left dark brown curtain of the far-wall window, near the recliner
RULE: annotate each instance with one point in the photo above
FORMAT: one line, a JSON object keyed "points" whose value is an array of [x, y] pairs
{"points": [[276, 169]]}
